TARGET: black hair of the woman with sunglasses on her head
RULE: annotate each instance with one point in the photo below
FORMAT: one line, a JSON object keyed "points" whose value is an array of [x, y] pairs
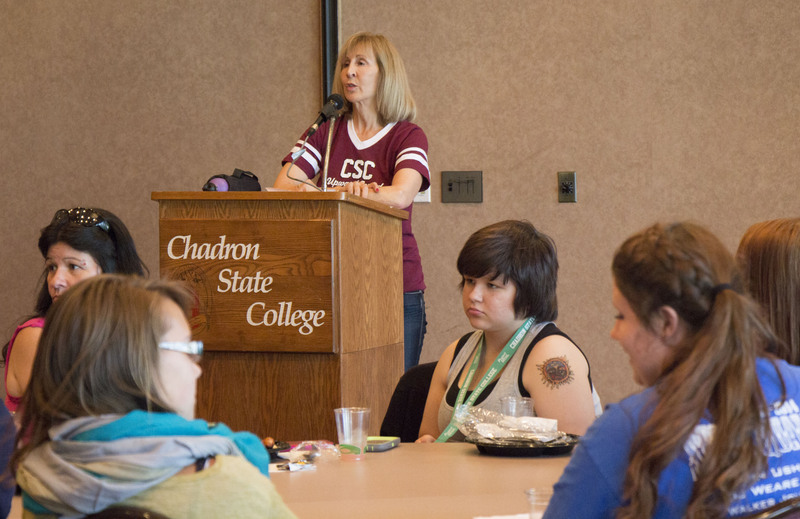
{"points": [[113, 249]]}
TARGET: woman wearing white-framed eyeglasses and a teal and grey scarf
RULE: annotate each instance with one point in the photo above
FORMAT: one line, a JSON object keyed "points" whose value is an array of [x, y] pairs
{"points": [[109, 414]]}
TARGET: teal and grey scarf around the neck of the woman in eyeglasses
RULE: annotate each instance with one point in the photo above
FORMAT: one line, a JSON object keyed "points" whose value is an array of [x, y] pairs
{"points": [[94, 462]]}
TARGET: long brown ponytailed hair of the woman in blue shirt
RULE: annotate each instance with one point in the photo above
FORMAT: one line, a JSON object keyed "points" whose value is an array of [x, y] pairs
{"points": [[712, 371]]}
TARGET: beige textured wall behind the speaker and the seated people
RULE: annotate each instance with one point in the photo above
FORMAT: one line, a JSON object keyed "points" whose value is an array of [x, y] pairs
{"points": [[667, 110]]}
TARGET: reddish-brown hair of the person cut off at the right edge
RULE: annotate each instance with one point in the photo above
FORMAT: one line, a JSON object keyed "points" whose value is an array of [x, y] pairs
{"points": [[769, 255]]}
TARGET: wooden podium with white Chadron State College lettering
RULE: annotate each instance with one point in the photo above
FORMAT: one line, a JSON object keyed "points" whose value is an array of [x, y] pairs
{"points": [[300, 304]]}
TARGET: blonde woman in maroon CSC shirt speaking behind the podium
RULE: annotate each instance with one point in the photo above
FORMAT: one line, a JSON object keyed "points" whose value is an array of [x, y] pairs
{"points": [[377, 152]]}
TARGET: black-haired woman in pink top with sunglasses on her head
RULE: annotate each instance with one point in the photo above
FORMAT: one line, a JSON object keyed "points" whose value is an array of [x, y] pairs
{"points": [[77, 244]]}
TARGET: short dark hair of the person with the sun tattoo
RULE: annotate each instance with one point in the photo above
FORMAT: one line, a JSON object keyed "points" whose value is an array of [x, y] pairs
{"points": [[515, 250]]}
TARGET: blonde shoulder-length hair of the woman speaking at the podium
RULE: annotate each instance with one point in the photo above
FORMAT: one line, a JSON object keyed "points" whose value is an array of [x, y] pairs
{"points": [[395, 102]]}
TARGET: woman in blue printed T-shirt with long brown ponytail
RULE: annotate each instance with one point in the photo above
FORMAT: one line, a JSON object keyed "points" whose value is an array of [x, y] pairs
{"points": [[715, 433]]}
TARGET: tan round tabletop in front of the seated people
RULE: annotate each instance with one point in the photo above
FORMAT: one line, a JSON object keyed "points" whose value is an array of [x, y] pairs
{"points": [[431, 480]]}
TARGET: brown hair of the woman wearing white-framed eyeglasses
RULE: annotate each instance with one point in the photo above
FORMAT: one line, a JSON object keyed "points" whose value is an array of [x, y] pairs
{"points": [[98, 354]]}
